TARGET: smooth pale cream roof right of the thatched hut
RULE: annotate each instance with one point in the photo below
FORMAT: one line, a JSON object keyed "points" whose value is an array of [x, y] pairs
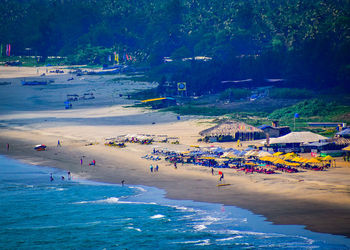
{"points": [[297, 137]]}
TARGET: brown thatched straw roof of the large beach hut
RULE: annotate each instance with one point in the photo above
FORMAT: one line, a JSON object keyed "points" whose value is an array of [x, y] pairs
{"points": [[229, 128]]}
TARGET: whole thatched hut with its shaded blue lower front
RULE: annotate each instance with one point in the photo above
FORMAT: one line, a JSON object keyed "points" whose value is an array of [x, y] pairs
{"points": [[232, 131]]}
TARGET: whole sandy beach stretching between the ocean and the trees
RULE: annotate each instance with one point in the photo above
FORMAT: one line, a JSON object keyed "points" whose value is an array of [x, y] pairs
{"points": [[30, 116]]}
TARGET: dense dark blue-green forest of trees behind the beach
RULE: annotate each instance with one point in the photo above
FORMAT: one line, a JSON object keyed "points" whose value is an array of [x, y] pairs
{"points": [[305, 42]]}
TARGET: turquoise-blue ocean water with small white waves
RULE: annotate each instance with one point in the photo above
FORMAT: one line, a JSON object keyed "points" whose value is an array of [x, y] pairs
{"points": [[36, 213]]}
